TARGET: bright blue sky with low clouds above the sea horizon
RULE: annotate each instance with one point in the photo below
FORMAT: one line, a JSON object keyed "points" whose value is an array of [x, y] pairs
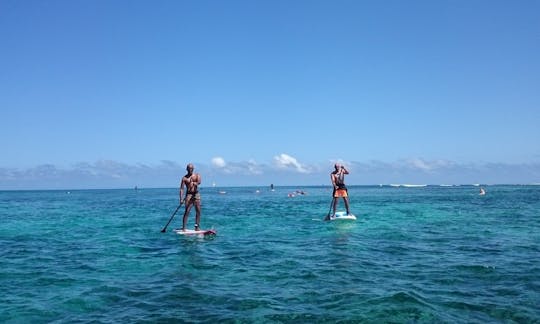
{"points": [[117, 94]]}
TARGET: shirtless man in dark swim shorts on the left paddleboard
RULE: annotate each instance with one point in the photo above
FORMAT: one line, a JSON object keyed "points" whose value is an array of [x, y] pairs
{"points": [[190, 183]]}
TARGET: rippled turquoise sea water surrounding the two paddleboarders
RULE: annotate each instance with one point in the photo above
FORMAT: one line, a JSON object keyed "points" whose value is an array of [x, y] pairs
{"points": [[415, 255]]}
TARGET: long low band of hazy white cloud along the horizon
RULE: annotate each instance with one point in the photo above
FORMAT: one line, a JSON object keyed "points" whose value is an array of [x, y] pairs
{"points": [[284, 170]]}
